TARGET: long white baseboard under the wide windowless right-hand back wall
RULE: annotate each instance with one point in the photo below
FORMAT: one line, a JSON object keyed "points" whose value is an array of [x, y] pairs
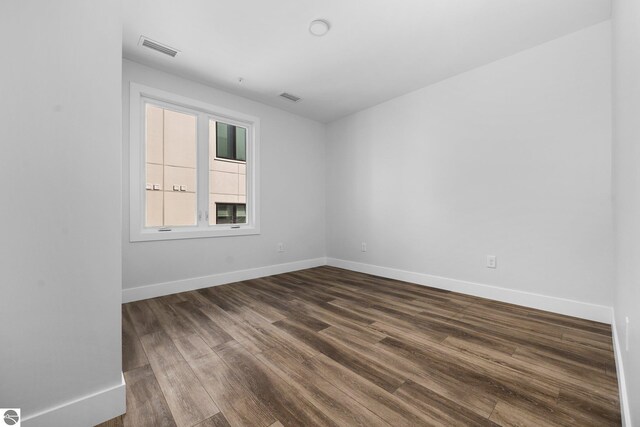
{"points": [[598, 313]]}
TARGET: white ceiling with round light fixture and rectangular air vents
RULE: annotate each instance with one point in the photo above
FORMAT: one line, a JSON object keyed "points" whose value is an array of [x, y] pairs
{"points": [[376, 49]]}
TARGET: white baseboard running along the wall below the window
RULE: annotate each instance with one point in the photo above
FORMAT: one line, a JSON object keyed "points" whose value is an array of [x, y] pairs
{"points": [[167, 288]]}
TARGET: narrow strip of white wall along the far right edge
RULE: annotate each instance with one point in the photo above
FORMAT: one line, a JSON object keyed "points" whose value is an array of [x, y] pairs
{"points": [[626, 187]]}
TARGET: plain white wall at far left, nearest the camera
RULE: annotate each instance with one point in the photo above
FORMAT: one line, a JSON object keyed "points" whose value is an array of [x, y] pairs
{"points": [[60, 250]]}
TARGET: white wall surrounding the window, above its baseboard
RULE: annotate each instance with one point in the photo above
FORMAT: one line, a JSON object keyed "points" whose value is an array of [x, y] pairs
{"points": [[292, 194]]}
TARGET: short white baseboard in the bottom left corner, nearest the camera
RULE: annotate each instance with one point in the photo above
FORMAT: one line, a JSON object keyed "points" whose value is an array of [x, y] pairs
{"points": [[85, 411]]}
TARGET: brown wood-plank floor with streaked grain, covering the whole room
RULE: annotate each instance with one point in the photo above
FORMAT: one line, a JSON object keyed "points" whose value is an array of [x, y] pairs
{"points": [[327, 346]]}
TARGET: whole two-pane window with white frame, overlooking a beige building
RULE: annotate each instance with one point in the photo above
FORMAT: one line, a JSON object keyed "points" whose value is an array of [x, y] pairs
{"points": [[193, 168]]}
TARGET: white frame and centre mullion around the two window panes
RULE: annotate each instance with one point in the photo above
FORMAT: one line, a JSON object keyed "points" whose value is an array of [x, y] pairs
{"points": [[139, 94]]}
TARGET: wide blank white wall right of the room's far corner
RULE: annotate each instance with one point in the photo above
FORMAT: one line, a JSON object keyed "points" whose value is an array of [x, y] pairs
{"points": [[510, 159]]}
